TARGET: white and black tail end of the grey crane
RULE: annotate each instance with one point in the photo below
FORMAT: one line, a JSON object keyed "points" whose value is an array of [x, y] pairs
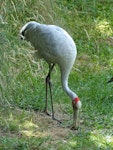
{"points": [[26, 28]]}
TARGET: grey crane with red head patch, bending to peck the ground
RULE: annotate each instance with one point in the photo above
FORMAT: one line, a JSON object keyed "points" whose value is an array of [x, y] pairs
{"points": [[55, 46]]}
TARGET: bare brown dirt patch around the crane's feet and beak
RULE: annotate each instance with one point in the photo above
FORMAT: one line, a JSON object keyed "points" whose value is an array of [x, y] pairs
{"points": [[53, 128]]}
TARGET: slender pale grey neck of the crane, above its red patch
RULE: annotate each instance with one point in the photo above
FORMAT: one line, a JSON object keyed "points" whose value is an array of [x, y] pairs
{"points": [[64, 79]]}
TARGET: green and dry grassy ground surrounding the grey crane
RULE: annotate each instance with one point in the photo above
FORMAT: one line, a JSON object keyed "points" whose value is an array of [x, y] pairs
{"points": [[23, 126]]}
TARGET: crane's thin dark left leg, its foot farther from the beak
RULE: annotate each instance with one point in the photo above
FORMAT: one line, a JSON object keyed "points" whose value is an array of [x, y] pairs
{"points": [[48, 82]]}
